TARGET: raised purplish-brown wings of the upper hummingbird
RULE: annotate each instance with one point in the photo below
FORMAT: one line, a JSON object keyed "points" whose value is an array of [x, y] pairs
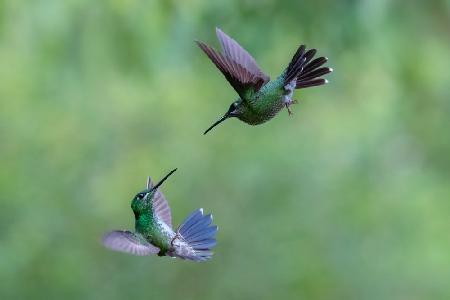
{"points": [[236, 64]]}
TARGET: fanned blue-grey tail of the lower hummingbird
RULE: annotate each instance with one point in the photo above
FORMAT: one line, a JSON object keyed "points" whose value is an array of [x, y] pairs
{"points": [[198, 232]]}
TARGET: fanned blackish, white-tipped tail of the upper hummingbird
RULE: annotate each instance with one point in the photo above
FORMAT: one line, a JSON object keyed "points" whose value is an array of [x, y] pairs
{"points": [[306, 72]]}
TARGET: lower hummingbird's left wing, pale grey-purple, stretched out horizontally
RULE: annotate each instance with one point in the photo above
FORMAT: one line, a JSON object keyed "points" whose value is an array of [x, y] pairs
{"points": [[128, 242]]}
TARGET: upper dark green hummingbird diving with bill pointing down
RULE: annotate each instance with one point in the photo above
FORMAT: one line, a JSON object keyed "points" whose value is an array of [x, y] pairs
{"points": [[260, 98]]}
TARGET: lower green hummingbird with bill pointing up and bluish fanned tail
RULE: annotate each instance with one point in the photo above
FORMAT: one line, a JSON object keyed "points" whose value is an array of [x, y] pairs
{"points": [[153, 234]]}
